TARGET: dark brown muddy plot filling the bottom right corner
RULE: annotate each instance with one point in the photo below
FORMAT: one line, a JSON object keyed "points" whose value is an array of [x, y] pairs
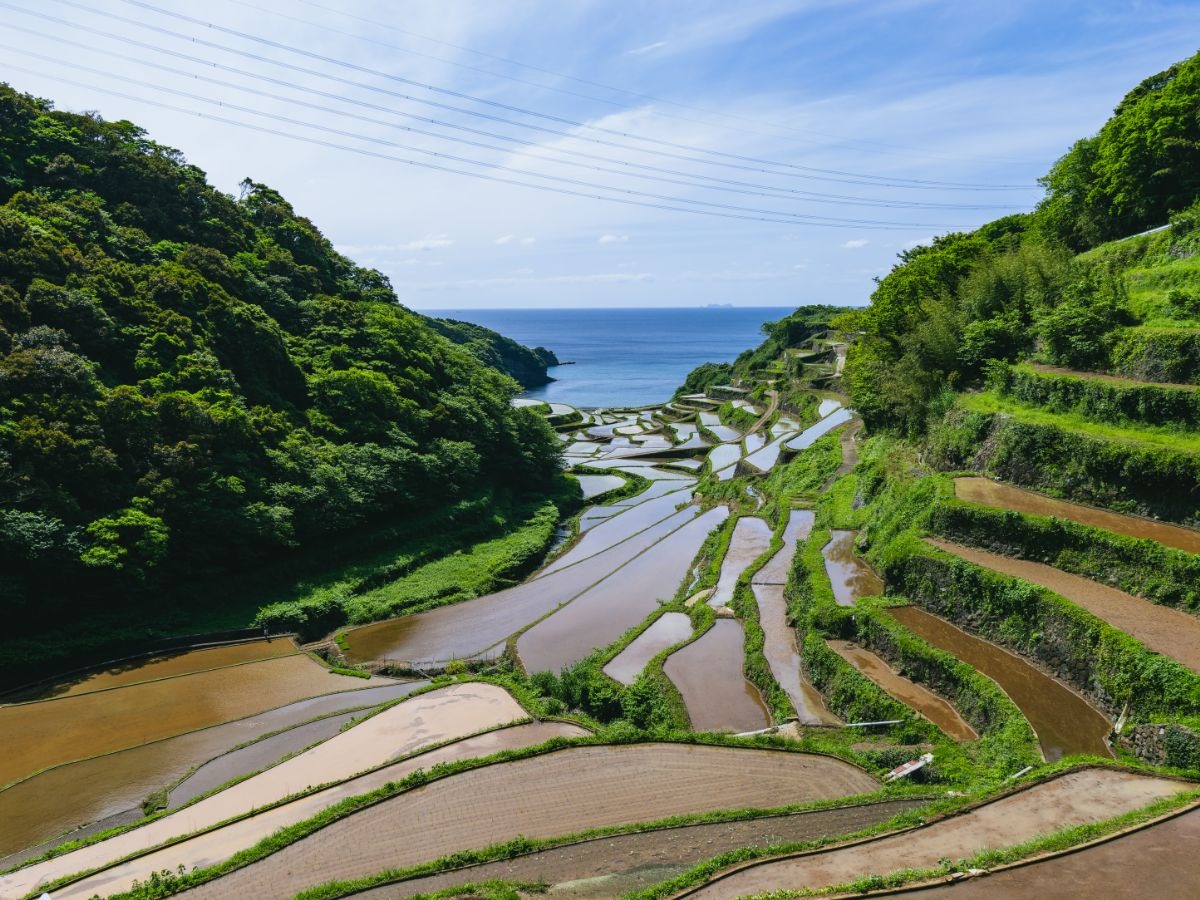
{"points": [[1156, 861]]}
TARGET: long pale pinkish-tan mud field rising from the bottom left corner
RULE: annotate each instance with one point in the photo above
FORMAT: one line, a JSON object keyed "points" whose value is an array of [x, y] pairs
{"points": [[430, 718]]}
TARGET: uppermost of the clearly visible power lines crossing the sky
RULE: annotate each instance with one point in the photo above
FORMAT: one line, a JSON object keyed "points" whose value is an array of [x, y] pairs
{"points": [[512, 109]]}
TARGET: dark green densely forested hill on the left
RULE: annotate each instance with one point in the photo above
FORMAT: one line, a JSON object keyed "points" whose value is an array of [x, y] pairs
{"points": [[193, 383]]}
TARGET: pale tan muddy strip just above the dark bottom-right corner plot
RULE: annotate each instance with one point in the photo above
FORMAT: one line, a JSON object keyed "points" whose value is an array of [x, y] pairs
{"points": [[1075, 799]]}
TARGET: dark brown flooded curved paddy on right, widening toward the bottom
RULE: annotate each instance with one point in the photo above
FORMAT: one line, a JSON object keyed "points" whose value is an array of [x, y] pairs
{"points": [[1064, 722]]}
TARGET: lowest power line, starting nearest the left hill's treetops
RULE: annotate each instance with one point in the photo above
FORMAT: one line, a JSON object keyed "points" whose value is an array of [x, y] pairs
{"points": [[769, 218]]}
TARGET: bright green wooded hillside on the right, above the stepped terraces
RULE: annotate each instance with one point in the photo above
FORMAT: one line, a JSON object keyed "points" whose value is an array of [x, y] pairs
{"points": [[1059, 286]]}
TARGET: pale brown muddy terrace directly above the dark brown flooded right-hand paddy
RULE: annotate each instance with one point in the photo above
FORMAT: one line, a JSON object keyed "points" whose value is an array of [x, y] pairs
{"points": [[1165, 631]]}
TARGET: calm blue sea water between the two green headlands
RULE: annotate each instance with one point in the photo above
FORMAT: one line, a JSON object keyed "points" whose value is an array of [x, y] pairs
{"points": [[626, 357]]}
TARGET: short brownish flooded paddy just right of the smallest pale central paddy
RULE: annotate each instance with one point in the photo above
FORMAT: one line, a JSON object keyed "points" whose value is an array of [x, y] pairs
{"points": [[709, 674]]}
